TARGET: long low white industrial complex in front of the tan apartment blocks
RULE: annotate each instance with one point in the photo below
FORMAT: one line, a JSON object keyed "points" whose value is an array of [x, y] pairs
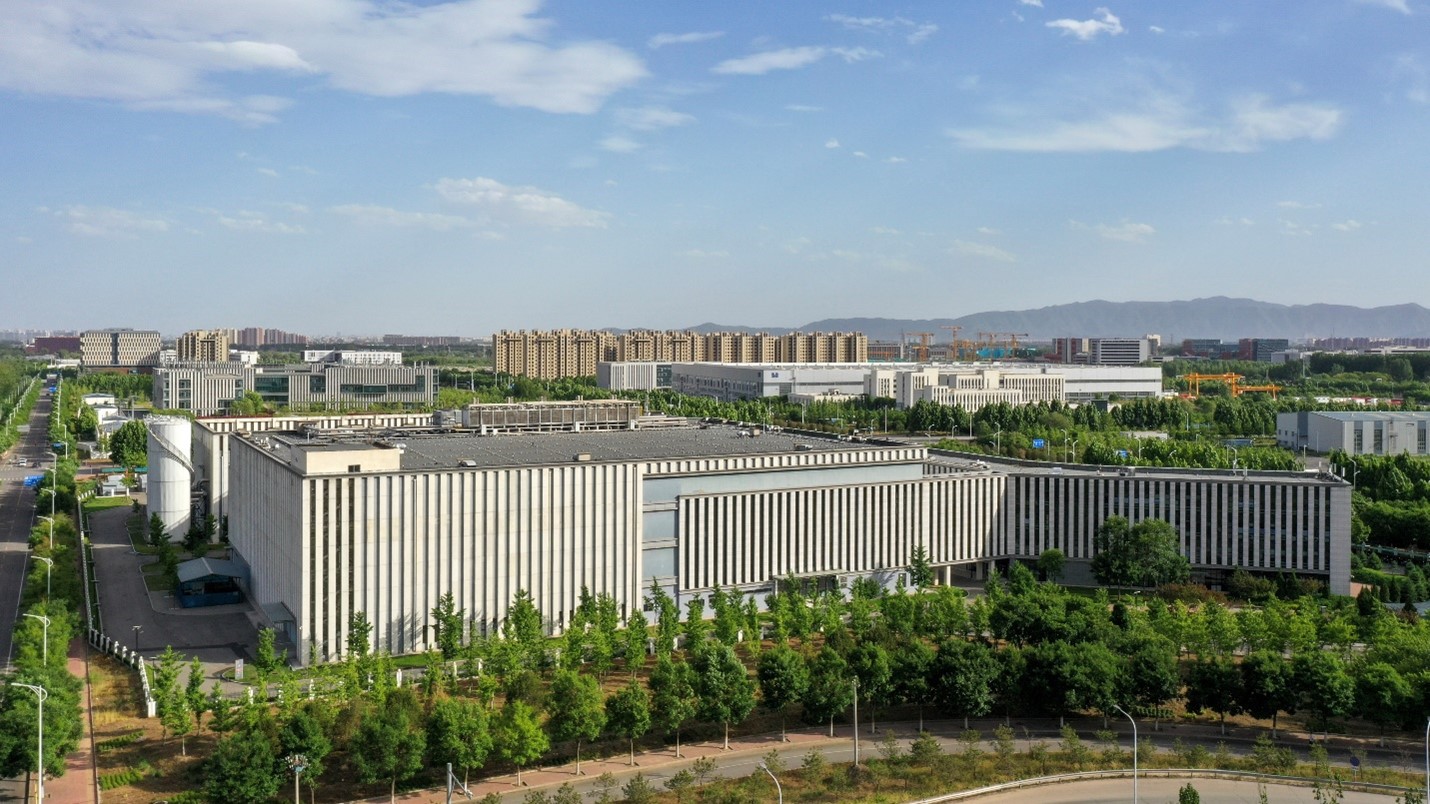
{"points": [[967, 386]]}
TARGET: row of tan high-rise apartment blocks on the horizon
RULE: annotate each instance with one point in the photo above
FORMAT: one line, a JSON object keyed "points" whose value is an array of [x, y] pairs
{"points": [[577, 353]]}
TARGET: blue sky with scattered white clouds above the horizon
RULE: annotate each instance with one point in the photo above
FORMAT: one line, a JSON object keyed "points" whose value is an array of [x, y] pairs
{"points": [[458, 168]]}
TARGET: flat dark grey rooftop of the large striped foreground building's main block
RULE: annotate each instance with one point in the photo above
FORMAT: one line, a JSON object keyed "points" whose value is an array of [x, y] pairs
{"points": [[430, 450]]}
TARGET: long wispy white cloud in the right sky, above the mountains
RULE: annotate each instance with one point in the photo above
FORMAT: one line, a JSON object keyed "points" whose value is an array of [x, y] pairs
{"points": [[1160, 122]]}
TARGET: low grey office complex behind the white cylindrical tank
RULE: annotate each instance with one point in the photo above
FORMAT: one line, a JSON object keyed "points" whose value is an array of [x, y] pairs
{"points": [[208, 390]]}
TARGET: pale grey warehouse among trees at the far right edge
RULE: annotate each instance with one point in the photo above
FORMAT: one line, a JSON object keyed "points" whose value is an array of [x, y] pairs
{"points": [[1358, 433]]}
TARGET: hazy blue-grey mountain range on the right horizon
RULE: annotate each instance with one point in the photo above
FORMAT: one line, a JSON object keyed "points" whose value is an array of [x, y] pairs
{"points": [[1219, 317]]}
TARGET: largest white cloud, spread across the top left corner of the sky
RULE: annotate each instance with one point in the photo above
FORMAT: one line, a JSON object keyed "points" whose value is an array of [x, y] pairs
{"points": [[179, 57]]}
